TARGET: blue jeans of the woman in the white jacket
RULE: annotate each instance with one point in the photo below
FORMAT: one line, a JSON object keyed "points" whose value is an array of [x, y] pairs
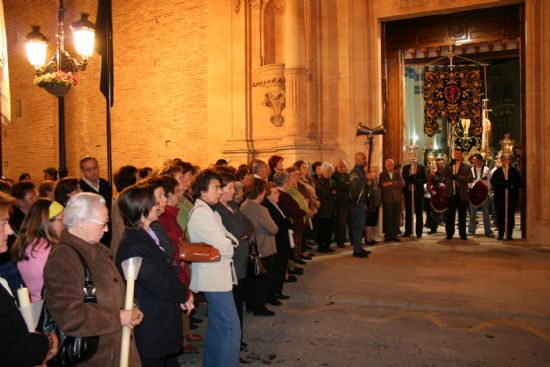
{"points": [[223, 335]]}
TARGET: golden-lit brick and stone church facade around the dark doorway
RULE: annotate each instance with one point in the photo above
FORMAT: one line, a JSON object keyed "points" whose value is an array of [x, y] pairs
{"points": [[205, 79]]}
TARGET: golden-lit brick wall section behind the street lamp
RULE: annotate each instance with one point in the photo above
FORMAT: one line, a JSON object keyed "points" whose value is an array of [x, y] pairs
{"points": [[160, 110]]}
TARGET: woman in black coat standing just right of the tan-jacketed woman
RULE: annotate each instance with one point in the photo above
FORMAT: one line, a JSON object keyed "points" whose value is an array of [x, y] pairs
{"points": [[282, 240]]}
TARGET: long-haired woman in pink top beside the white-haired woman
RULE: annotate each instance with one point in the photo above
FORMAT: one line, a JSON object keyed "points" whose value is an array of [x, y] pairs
{"points": [[38, 233]]}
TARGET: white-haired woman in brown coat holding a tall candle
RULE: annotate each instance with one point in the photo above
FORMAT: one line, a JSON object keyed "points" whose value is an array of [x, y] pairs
{"points": [[85, 219]]}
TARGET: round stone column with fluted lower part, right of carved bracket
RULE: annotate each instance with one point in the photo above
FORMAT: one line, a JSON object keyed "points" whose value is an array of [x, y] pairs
{"points": [[296, 73]]}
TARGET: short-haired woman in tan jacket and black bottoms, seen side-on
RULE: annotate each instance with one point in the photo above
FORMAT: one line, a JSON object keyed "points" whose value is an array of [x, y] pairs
{"points": [[262, 290]]}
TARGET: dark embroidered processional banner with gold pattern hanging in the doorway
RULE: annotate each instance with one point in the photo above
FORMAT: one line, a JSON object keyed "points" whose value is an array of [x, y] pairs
{"points": [[455, 96]]}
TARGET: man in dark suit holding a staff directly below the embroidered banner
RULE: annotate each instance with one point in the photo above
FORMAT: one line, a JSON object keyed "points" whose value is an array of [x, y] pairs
{"points": [[457, 175]]}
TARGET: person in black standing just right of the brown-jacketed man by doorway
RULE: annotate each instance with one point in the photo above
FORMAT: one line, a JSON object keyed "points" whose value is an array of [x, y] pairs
{"points": [[414, 175]]}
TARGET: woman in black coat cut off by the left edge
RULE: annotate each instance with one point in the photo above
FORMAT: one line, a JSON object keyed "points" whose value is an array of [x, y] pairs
{"points": [[18, 347]]}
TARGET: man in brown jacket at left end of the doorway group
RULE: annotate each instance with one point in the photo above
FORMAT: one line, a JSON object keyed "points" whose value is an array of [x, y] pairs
{"points": [[392, 184]]}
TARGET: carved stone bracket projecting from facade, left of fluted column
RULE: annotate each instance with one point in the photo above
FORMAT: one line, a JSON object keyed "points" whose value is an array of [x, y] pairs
{"points": [[272, 78]]}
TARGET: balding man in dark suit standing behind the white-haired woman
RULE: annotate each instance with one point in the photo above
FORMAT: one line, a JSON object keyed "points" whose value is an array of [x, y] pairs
{"points": [[91, 182]]}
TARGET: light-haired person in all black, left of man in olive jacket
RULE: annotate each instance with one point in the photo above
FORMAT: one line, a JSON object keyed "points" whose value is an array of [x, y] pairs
{"points": [[326, 192]]}
